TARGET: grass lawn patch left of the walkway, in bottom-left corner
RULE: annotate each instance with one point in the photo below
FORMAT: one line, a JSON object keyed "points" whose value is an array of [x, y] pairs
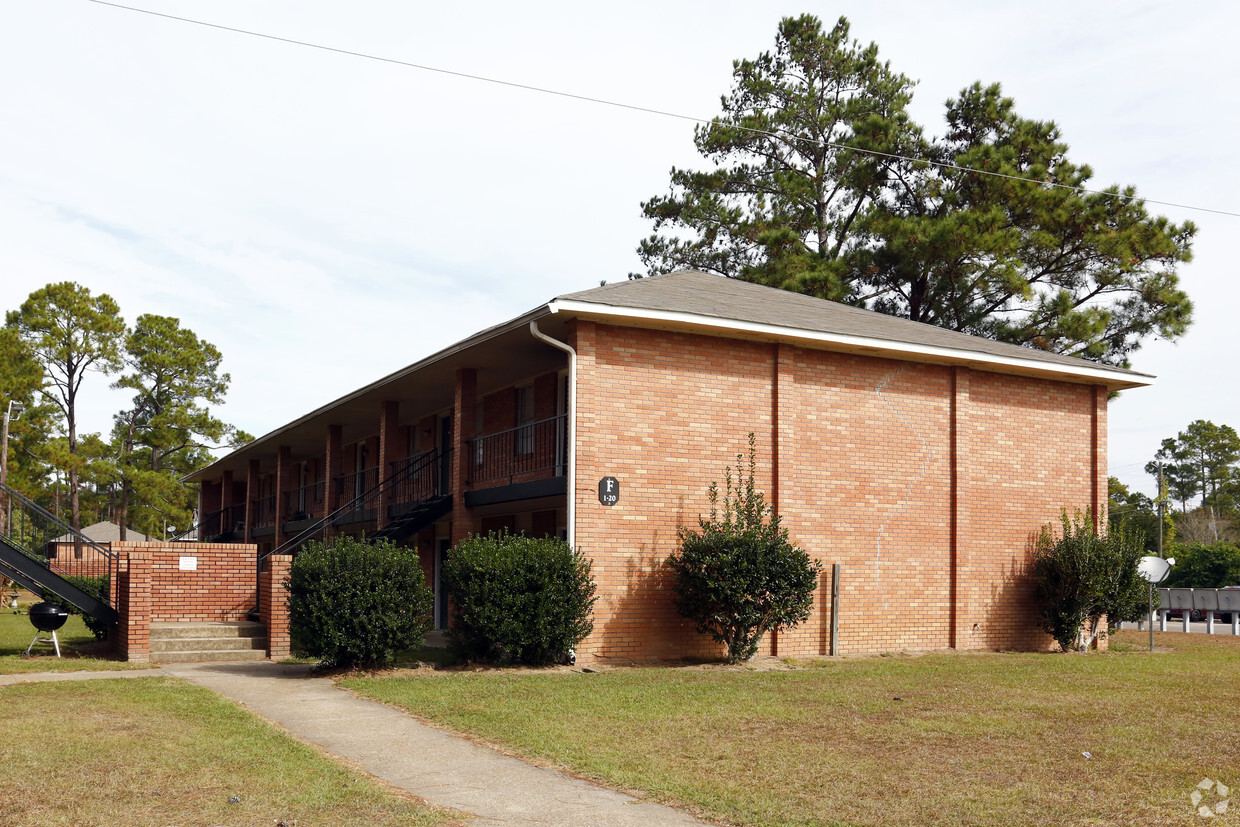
{"points": [[163, 752]]}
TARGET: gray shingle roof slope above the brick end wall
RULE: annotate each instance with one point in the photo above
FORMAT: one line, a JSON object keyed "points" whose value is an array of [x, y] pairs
{"points": [[701, 294]]}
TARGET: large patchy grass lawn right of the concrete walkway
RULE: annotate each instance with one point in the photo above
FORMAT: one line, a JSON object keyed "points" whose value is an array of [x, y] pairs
{"points": [[943, 738]]}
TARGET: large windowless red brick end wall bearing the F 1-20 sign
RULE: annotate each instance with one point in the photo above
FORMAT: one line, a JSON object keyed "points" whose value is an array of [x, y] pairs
{"points": [[924, 482]]}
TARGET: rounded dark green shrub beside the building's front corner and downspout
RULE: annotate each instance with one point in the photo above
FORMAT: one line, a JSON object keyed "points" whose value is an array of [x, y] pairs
{"points": [[518, 599]]}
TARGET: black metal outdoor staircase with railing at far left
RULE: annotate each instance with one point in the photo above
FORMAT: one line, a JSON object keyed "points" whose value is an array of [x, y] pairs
{"points": [[29, 535]]}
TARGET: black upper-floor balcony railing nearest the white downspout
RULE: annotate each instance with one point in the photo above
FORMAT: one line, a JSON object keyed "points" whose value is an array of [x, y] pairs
{"points": [[524, 453]]}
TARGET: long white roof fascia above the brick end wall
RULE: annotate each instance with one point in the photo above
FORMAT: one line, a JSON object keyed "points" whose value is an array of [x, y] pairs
{"points": [[1086, 371]]}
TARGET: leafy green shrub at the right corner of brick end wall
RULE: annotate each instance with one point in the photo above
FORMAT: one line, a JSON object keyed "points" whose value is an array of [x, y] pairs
{"points": [[1083, 576]]}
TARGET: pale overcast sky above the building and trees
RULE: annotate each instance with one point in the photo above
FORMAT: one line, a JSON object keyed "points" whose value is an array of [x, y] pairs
{"points": [[325, 220]]}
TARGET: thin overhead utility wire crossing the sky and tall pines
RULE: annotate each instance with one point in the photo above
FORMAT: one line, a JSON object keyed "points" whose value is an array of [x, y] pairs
{"points": [[664, 113]]}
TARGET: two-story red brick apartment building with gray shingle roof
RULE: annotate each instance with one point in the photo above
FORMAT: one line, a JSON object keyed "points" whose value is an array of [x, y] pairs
{"points": [[918, 459]]}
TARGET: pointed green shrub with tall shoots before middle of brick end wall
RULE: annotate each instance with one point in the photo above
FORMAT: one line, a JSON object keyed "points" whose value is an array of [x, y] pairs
{"points": [[738, 576]]}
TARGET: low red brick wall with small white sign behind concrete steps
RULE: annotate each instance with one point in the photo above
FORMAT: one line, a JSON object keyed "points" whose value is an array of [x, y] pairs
{"points": [[223, 588]]}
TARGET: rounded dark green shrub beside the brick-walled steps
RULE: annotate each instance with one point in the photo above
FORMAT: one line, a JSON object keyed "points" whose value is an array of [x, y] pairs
{"points": [[356, 602]]}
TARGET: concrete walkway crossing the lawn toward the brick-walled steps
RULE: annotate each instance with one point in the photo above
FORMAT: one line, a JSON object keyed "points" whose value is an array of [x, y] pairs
{"points": [[445, 769]]}
